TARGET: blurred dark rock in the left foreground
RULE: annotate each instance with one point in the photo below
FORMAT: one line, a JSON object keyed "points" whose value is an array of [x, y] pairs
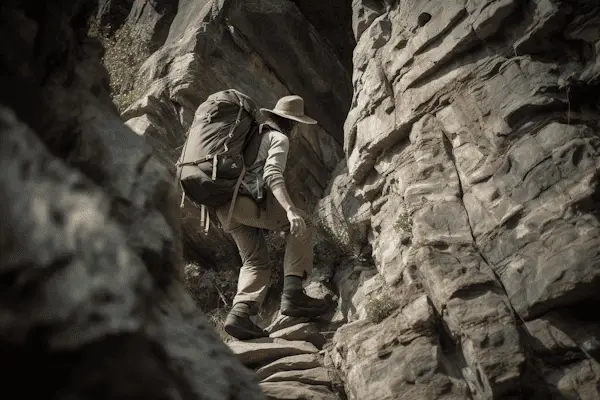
{"points": [[92, 296]]}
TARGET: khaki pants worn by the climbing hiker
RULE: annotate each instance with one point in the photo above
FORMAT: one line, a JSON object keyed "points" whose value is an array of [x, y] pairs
{"points": [[247, 223]]}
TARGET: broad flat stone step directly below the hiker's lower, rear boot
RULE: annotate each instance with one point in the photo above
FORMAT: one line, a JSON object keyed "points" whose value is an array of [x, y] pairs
{"points": [[265, 350]]}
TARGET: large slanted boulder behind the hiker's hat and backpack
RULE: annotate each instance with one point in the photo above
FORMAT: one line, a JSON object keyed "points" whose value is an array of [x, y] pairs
{"points": [[217, 45]]}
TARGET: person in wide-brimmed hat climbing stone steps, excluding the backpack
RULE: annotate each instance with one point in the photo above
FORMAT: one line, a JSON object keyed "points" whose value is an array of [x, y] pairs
{"points": [[263, 203]]}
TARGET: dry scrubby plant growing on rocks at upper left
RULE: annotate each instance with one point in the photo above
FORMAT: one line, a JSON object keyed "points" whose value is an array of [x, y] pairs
{"points": [[125, 51]]}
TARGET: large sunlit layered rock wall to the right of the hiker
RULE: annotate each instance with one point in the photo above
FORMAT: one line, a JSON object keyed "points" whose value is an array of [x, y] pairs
{"points": [[472, 159]]}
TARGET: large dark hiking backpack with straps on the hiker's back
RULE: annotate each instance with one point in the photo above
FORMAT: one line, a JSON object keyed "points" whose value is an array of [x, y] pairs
{"points": [[223, 137]]}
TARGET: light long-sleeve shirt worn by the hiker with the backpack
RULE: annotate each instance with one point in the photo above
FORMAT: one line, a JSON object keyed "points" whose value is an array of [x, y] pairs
{"points": [[270, 163]]}
